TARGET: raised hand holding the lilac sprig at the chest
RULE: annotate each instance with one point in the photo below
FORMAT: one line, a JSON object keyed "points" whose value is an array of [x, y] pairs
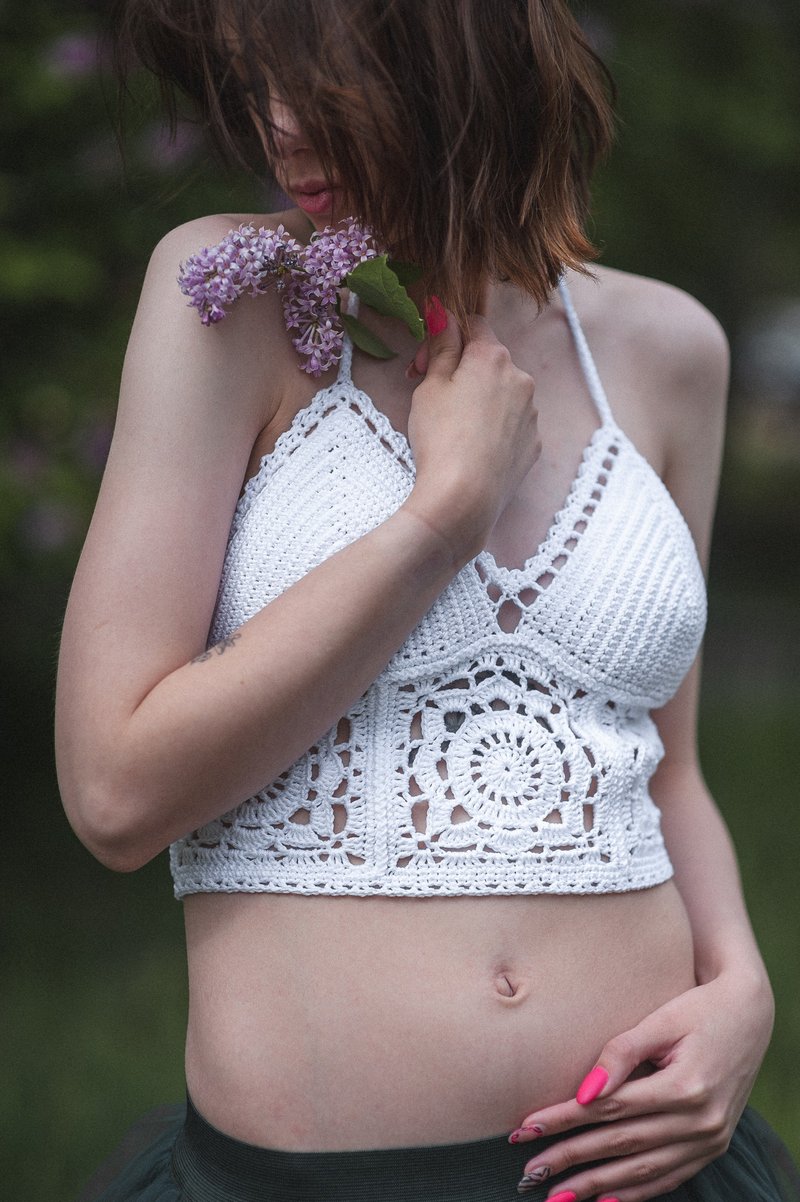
{"points": [[473, 430]]}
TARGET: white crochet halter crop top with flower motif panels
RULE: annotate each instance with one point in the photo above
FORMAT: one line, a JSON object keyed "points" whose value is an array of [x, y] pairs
{"points": [[480, 761]]}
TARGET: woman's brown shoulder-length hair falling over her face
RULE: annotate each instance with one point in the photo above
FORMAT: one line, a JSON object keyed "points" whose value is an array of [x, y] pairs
{"points": [[464, 132]]}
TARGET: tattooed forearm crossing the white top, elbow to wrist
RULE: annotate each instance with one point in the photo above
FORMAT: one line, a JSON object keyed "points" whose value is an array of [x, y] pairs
{"points": [[212, 734]]}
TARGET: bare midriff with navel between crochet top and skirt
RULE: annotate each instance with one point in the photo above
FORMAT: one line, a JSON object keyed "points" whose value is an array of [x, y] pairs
{"points": [[330, 1024]]}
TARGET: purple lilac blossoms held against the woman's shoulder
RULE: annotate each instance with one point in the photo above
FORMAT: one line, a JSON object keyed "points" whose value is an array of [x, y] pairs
{"points": [[308, 277]]}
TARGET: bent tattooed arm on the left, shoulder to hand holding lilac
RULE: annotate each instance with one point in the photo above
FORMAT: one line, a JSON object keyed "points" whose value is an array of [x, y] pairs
{"points": [[151, 745]]}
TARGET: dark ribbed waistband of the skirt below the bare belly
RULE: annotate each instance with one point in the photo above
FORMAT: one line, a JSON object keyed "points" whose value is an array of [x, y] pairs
{"points": [[210, 1165]]}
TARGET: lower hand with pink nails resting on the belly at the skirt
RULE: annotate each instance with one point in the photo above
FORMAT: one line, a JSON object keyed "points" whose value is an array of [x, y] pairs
{"points": [[705, 1050]]}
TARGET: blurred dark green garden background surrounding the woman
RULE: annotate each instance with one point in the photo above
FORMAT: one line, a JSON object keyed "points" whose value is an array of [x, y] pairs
{"points": [[703, 193]]}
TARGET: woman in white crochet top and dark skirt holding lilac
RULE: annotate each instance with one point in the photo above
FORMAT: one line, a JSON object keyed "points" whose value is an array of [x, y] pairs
{"points": [[453, 913]]}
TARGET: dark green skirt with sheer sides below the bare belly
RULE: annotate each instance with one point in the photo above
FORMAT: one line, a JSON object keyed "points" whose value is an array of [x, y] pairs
{"points": [[175, 1156]]}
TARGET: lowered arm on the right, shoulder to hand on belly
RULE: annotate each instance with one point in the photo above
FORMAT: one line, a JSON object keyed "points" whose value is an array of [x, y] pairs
{"points": [[707, 1045]]}
